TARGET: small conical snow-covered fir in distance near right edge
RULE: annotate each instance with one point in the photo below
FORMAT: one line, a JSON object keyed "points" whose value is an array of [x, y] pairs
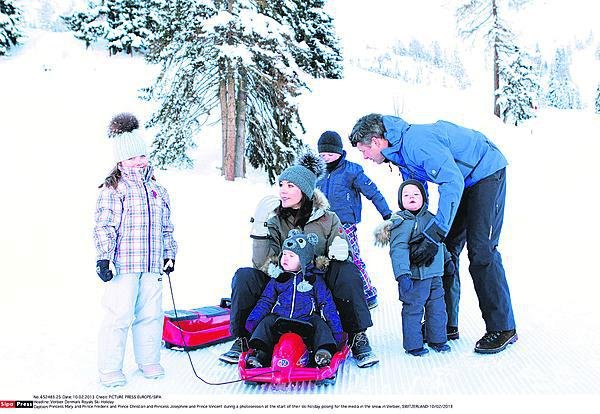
{"points": [[562, 92]]}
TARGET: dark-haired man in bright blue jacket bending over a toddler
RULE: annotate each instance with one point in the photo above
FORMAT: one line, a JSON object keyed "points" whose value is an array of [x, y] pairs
{"points": [[470, 173]]}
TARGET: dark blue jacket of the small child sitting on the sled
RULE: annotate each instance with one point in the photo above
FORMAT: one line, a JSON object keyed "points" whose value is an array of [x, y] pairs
{"points": [[284, 297]]}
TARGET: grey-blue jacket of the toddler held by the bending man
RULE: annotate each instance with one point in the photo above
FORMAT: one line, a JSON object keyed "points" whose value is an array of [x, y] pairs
{"points": [[405, 227]]}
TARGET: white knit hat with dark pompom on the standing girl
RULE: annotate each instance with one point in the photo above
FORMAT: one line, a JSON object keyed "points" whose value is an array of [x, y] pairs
{"points": [[127, 139]]}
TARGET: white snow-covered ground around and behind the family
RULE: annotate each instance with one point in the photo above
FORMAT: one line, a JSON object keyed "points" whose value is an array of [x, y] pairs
{"points": [[56, 101]]}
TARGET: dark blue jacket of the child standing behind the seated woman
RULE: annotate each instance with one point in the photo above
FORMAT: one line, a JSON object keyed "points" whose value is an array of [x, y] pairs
{"points": [[343, 187]]}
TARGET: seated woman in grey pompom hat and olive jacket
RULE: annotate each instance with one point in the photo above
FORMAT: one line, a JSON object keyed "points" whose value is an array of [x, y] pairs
{"points": [[301, 206]]}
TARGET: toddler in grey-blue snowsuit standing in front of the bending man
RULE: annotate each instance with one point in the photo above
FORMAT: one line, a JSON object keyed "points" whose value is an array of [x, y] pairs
{"points": [[420, 286]]}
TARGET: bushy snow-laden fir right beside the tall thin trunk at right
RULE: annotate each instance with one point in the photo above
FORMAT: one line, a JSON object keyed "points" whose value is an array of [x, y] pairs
{"points": [[519, 86]]}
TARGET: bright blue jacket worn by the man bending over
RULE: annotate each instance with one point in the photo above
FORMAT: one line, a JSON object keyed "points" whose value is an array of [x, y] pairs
{"points": [[443, 153]]}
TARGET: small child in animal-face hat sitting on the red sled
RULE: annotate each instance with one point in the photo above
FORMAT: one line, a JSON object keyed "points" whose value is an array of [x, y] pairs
{"points": [[298, 292]]}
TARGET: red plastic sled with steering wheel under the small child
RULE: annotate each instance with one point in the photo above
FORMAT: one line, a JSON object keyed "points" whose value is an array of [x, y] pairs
{"points": [[291, 361]]}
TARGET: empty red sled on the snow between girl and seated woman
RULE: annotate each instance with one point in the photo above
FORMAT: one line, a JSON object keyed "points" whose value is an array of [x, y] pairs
{"points": [[196, 328]]}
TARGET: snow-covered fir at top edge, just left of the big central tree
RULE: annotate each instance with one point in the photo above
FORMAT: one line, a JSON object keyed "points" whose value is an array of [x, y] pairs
{"points": [[125, 24]]}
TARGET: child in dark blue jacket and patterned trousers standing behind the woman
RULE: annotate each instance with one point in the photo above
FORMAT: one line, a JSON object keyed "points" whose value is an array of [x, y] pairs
{"points": [[343, 185]]}
